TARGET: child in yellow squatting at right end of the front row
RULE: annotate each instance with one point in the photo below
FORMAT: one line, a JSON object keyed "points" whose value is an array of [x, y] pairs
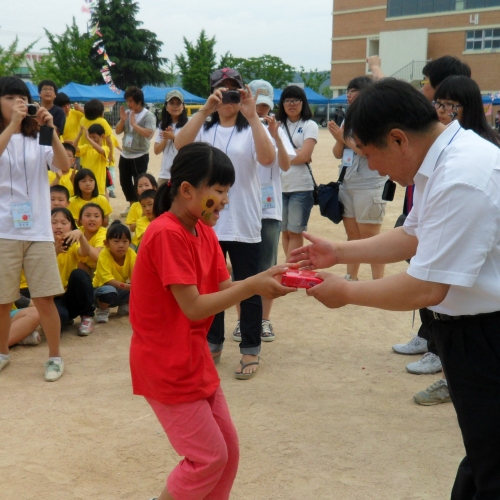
{"points": [[114, 272]]}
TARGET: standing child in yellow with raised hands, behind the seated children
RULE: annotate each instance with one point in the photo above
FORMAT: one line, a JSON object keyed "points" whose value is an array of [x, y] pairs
{"points": [[94, 155]]}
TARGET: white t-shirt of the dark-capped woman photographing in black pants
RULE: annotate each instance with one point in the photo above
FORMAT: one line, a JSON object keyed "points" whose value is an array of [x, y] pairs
{"points": [[241, 219]]}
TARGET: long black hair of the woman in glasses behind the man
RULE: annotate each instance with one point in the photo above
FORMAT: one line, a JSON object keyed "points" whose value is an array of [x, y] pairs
{"points": [[466, 91]]}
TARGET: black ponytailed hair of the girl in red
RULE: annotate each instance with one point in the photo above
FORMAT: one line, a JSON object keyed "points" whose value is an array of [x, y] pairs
{"points": [[199, 164]]}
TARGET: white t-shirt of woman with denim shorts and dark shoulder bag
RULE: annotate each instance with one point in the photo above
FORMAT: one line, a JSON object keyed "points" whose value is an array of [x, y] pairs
{"points": [[298, 177]]}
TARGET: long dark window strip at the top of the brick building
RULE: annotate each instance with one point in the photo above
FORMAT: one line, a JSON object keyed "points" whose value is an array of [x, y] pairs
{"points": [[397, 8]]}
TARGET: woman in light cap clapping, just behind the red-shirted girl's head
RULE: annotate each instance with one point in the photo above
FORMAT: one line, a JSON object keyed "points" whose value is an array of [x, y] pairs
{"points": [[173, 118]]}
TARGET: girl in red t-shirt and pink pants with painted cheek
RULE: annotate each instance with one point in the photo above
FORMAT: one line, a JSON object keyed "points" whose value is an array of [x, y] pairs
{"points": [[180, 283]]}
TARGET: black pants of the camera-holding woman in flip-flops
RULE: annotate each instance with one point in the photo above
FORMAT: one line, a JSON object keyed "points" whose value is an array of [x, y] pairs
{"points": [[245, 260]]}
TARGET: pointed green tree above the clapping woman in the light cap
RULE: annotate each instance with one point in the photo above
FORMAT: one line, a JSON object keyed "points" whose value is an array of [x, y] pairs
{"points": [[197, 65]]}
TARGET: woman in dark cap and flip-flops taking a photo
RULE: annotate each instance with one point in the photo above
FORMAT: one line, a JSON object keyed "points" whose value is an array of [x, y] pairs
{"points": [[234, 127]]}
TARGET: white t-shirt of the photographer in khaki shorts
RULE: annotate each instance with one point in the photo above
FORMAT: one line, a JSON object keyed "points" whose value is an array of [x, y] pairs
{"points": [[23, 178]]}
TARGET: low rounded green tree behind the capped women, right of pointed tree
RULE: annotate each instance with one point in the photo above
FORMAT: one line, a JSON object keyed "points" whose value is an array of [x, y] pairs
{"points": [[266, 67]]}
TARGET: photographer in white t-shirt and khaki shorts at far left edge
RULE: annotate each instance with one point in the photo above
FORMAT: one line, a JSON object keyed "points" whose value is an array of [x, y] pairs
{"points": [[26, 239]]}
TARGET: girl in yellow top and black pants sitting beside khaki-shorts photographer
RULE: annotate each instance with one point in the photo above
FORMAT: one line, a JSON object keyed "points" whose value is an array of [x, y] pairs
{"points": [[72, 247]]}
